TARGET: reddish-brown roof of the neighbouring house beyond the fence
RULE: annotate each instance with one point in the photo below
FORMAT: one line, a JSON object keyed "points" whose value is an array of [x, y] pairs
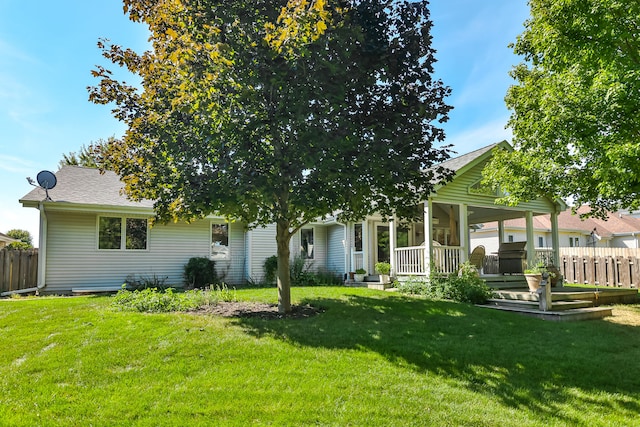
{"points": [[616, 223]]}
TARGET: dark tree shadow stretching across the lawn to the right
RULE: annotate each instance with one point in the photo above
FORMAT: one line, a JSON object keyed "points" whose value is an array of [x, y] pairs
{"points": [[525, 362]]}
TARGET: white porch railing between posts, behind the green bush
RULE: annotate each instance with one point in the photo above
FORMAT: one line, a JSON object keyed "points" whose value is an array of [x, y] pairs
{"points": [[444, 259]]}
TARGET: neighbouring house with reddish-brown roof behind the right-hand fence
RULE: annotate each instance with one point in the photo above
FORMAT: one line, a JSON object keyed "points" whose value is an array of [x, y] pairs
{"points": [[619, 230]]}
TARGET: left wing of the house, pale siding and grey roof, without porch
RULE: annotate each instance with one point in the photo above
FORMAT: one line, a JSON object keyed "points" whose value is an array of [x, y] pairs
{"points": [[93, 237]]}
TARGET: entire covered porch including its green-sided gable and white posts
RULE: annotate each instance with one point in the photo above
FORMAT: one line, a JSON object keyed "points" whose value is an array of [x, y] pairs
{"points": [[437, 239]]}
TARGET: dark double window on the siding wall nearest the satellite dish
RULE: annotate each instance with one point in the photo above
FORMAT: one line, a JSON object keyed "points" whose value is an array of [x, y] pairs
{"points": [[117, 233]]}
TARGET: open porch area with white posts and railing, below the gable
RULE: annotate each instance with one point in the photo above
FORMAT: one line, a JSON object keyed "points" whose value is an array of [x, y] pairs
{"points": [[441, 242]]}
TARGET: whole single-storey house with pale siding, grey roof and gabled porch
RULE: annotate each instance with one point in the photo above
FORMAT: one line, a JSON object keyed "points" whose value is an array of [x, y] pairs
{"points": [[93, 237]]}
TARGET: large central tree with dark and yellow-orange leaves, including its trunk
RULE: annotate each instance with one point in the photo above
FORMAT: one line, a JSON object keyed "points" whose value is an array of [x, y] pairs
{"points": [[278, 111]]}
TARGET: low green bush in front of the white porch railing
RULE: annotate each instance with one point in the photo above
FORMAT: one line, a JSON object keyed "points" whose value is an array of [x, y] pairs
{"points": [[466, 286]]}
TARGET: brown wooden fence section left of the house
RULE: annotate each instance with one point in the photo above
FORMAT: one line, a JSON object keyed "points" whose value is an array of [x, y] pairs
{"points": [[18, 269]]}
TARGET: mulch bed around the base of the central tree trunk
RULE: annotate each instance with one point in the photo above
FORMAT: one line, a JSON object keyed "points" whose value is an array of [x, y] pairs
{"points": [[260, 310]]}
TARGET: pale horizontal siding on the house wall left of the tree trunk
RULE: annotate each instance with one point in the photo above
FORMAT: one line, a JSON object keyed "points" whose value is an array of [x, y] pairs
{"points": [[73, 260]]}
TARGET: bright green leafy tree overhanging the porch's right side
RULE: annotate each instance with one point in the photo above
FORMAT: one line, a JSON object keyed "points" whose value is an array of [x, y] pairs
{"points": [[575, 106]]}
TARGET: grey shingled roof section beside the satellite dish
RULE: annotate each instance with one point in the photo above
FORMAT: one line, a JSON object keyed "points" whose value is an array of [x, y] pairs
{"points": [[85, 186]]}
